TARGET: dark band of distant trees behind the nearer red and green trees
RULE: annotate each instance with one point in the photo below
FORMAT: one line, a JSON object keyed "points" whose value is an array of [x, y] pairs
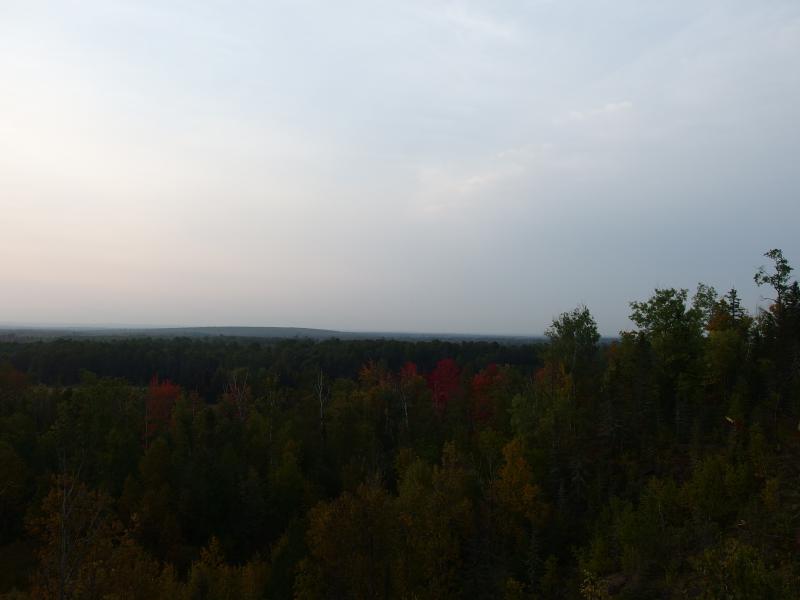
{"points": [[204, 364]]}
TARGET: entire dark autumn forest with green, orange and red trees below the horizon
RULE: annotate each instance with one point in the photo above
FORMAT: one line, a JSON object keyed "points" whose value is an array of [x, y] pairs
{"points": [[662, 464]]}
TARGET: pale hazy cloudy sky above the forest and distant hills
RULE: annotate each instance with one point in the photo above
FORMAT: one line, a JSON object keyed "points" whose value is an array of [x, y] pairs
{"points": [[418, 165]]}
